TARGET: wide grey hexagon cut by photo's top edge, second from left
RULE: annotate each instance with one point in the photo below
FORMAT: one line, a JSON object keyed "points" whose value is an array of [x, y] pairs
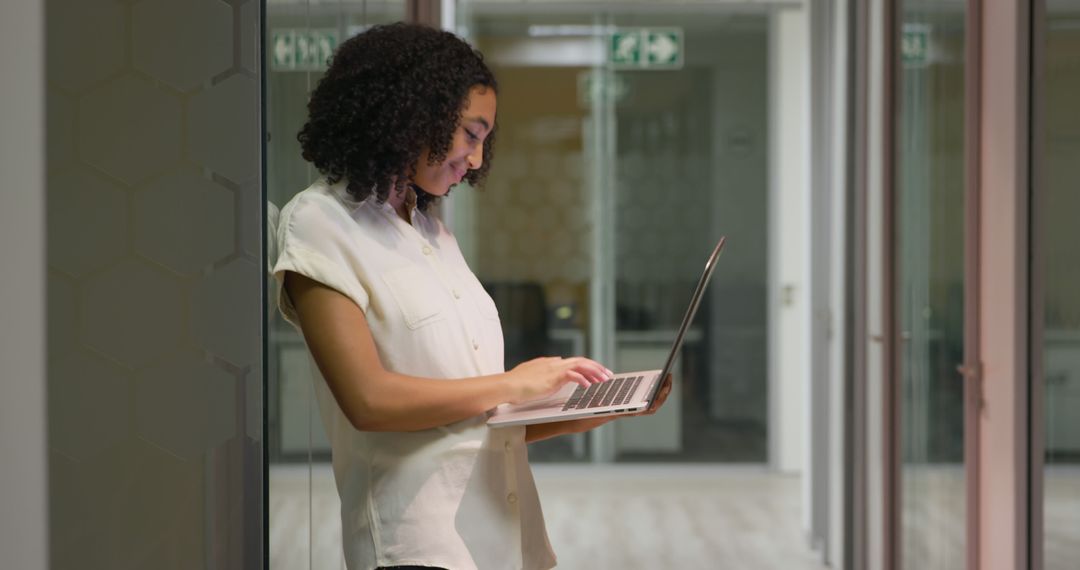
{"points": [[182, 44]]}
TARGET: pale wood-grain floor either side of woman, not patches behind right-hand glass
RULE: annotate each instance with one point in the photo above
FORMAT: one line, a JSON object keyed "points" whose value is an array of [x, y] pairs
{"points": [[618, 518]]}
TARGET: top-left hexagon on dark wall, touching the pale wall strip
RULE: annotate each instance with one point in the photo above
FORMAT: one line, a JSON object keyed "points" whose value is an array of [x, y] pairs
{"points": [[87, 28]]}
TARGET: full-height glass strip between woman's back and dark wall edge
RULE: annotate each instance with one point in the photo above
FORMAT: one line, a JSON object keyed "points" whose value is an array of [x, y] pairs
{"points": [[304, 511]]}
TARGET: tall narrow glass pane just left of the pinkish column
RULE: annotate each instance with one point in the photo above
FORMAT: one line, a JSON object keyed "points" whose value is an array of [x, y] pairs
{"points": [[930, 284]]}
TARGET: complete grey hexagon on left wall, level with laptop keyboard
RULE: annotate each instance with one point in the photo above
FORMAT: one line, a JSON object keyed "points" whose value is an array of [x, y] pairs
{"points": [[186, 405]]}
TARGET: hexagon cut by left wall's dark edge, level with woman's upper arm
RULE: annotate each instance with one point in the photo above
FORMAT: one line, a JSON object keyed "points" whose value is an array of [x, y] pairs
{"points": [[233, 291]]}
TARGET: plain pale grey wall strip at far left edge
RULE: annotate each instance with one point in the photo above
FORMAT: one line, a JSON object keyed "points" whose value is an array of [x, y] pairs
{"points": [[24, 478]]}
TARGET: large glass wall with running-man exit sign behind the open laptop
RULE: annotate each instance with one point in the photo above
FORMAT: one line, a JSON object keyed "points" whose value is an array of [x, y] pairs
{"points": [[611, 186]]}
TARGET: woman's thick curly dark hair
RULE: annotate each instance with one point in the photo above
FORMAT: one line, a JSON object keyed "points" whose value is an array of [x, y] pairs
{"points": [[389, 93]]}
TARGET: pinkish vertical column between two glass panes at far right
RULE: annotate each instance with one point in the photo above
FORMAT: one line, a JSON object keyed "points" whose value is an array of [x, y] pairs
{"points": [[1004, 253]]}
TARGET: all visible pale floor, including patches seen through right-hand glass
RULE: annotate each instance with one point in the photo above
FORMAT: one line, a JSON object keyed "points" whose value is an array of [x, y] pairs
{"points": [[628, 518]]}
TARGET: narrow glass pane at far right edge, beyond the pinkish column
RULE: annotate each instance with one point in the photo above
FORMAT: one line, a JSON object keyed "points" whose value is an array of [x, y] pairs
{"points": [[1060, 280]]}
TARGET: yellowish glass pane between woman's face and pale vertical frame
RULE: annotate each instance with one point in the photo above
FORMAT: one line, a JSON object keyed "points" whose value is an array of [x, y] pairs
{"points": [[528, 234]]}
